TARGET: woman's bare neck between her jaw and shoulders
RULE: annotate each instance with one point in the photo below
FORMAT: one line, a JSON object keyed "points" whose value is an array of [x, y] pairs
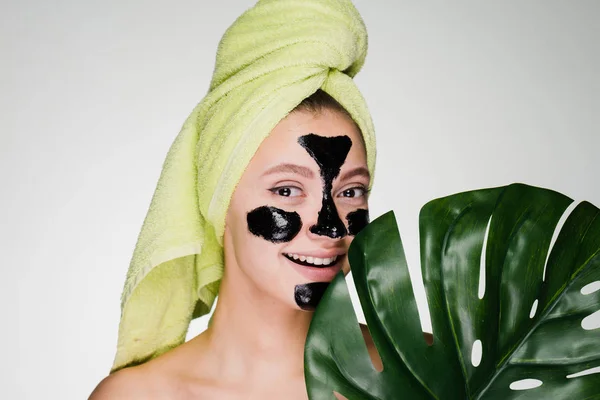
{"points": [[254, 337]]}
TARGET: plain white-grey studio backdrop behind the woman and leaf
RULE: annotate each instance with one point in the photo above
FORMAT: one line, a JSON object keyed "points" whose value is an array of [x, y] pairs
{"points": [[465, 95]]}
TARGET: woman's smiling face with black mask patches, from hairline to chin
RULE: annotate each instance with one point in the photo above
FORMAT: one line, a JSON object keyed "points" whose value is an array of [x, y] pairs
{"points": [[297, 207]]}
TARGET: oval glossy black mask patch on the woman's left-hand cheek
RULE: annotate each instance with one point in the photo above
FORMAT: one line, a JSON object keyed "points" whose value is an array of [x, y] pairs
{"points": [[274, 224]]}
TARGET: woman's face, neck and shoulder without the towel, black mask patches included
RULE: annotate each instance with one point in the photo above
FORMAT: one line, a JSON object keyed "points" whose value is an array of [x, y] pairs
{"points": [[291, 219]]}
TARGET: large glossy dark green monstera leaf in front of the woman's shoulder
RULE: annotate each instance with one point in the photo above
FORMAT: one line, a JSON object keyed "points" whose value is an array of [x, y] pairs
{"points": [[527, 321]]}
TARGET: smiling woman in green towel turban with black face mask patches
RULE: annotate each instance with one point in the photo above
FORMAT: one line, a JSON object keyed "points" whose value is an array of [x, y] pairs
{"points": [[264, 187]]}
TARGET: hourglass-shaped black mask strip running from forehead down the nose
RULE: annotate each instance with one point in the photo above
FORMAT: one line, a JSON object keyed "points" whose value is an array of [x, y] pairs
{"points": [[329, 153]]}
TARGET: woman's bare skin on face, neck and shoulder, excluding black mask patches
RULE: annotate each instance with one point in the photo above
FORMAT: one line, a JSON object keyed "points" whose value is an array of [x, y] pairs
{"points": [[254, 347]]}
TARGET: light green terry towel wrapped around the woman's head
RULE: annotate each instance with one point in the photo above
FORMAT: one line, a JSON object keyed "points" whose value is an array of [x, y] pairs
{"points": [[275, 55]]}
